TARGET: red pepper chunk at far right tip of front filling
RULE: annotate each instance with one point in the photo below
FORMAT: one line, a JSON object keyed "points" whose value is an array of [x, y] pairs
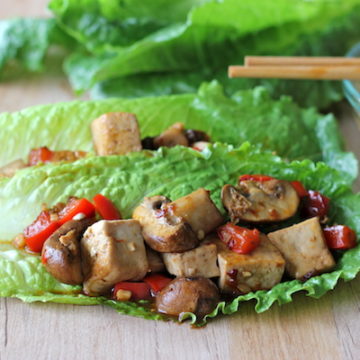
{"points": [[340, 237]]}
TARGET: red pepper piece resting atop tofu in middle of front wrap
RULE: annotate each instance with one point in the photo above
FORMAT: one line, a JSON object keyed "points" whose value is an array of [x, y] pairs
{"points": [[239, 239]]}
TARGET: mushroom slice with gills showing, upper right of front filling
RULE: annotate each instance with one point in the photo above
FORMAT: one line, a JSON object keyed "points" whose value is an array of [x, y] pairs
{"points": [[260, 201]]}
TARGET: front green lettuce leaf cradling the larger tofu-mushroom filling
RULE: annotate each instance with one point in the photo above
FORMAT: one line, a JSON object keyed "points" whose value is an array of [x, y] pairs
{"points": [[171, 172]]}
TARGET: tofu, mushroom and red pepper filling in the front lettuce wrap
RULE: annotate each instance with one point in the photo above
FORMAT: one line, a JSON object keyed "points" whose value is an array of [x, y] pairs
{"points": [[182, 255]]}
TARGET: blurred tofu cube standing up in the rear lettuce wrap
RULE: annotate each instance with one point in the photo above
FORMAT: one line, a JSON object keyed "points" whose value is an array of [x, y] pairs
{"points": [[116, 133]]}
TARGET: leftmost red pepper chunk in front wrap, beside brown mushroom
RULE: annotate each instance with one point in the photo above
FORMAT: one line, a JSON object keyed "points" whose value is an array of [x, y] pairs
{"points": [[37, 233]]}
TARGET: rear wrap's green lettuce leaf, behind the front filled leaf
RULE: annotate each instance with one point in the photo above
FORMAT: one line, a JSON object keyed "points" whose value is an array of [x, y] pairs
{"points": [[245, 116]]}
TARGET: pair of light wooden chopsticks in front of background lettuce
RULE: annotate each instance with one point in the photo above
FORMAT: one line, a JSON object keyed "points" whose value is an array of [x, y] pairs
{"points": [[297, 67]]}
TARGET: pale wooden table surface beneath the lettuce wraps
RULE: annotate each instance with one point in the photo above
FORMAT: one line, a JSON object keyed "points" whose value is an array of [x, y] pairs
{"points": [[328, 328]]}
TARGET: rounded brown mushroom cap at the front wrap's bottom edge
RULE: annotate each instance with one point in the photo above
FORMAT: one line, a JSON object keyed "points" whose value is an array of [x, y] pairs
{"points": [[198, 295]]}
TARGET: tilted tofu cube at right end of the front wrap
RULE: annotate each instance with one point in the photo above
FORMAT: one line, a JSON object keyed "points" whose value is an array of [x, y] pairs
{"points": [[304, 248]]}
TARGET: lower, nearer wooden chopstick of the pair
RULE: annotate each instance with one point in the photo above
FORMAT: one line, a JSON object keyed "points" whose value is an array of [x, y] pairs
{"points": [[296, 72]]}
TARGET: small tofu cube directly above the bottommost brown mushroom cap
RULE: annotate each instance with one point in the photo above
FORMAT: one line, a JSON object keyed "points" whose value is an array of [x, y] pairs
{"points": [[200, 261]]}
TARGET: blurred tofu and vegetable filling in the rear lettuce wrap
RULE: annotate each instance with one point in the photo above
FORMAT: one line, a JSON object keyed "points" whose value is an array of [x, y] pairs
{"points": [[115, 133]]}
